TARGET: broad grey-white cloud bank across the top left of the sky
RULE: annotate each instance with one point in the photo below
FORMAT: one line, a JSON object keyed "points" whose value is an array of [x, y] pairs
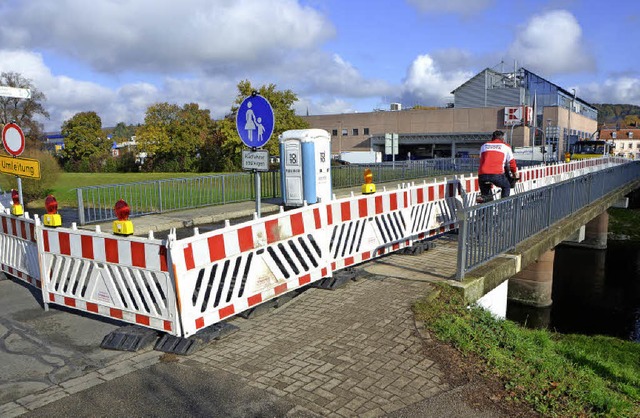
{"points": [[164, 35]]}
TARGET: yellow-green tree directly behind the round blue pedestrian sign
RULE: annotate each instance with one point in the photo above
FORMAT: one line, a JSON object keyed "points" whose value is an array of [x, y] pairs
{"points": [[285, 119]]}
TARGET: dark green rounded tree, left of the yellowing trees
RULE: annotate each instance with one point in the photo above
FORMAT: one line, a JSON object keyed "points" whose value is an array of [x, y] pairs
{"points": [[85, 145]]}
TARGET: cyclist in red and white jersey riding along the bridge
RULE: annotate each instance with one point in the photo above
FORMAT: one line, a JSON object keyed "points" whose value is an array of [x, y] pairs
{"points": [[496, 156]]}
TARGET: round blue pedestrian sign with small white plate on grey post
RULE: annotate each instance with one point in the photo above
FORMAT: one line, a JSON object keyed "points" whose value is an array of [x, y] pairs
{"points": [[255, 122]]}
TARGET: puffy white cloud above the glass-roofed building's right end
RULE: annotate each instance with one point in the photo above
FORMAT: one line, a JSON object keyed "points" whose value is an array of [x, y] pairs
{"points": [[552, 43]]}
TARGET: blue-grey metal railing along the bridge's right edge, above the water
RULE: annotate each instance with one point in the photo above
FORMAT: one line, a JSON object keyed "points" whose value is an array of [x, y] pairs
{"points": [[491, 229]]}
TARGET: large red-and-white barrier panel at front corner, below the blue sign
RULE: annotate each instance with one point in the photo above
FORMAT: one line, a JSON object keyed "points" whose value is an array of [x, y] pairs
{"points": [[222, 273]]}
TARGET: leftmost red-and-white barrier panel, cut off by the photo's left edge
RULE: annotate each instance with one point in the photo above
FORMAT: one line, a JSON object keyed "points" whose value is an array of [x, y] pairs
{"points": [[18, 248]]}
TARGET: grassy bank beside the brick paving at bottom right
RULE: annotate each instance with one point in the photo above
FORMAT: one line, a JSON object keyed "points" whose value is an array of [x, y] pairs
{"points": [[557, 375]]}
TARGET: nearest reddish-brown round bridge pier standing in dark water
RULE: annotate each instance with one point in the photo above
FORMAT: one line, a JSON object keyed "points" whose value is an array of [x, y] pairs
{"points": [[533, 285]]}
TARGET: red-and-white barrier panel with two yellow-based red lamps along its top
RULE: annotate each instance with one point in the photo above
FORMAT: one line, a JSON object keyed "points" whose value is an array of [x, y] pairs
{"points": [[125, 278]]}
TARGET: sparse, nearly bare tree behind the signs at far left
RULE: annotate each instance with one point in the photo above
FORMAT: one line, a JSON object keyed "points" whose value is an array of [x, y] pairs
{"points": [[22, 111]]}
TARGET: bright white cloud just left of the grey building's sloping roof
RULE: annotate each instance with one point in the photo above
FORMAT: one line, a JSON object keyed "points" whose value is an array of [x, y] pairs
{"points": [[426, 84]]}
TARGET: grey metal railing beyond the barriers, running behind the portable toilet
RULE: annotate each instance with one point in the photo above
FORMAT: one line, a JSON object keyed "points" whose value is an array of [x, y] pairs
{"points": [[96, 203]]}
